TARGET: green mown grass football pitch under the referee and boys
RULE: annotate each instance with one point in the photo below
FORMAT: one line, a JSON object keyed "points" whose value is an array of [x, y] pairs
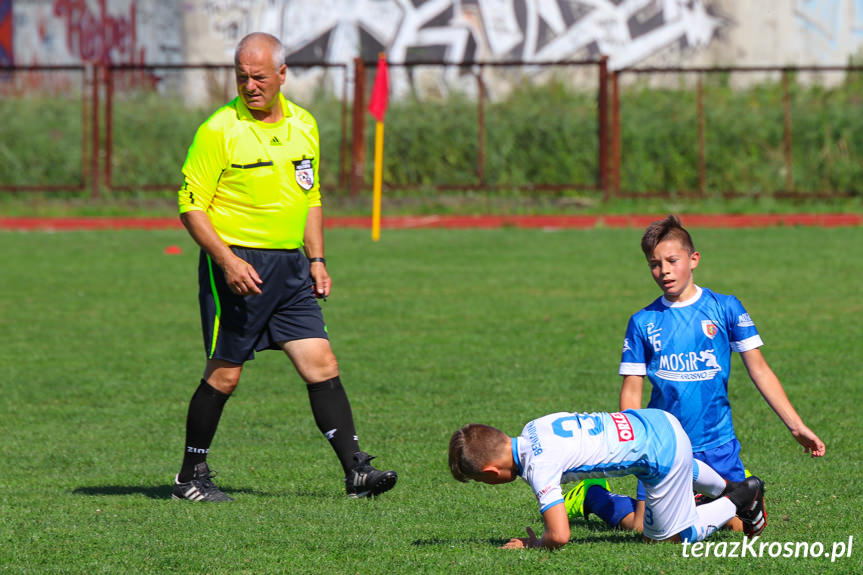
{"points": [[101, 350]]}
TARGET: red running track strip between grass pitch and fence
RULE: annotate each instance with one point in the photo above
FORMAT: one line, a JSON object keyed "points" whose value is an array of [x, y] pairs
{"points": [[480, 222]]}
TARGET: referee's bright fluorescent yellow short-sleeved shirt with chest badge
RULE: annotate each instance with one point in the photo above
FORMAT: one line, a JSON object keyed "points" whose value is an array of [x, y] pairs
{"points": [[256, 181]]}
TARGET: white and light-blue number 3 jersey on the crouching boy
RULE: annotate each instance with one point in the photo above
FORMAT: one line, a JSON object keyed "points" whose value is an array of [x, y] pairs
{"points": [[565, 447]]}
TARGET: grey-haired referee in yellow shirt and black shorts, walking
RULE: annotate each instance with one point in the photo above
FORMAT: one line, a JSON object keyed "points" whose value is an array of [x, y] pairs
{"points": [[251, 199]]}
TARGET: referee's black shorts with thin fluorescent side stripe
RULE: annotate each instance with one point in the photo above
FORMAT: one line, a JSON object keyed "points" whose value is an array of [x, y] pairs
{"points": [[235, 327]]}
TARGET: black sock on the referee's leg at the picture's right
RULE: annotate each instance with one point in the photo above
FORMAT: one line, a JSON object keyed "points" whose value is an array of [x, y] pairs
{"points": [[332, 412]]}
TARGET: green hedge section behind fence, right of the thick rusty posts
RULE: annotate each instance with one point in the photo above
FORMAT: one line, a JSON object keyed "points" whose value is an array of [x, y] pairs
{"points": [[744, 141]]}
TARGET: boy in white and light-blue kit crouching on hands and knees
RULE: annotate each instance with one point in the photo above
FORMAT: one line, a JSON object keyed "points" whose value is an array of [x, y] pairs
{"points": [[567, 447]]}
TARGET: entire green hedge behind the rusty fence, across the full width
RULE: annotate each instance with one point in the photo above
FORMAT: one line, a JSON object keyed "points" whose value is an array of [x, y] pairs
{"points": [[539, 135]]}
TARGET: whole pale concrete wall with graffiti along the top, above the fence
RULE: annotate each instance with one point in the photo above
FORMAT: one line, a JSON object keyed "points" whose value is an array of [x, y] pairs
{"points": [[629, 32]]}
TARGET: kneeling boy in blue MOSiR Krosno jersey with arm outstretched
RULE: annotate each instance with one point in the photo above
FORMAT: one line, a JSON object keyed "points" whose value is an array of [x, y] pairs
{"points": [[682, 342]]}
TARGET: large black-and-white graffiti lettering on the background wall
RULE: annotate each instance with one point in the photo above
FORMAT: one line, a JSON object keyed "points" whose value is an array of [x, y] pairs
{"points": [[459, 31]]}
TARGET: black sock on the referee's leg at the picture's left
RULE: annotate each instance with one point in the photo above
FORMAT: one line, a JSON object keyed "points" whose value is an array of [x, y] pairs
{"points": [[205, 409]]}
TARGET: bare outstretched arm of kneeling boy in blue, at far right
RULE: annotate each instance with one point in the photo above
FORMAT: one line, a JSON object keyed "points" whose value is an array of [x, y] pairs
{"points": [[773, 392]]}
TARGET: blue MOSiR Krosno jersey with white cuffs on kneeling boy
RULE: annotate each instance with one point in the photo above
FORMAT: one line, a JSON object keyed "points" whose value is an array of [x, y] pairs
{"points": [[684, 348]]}
